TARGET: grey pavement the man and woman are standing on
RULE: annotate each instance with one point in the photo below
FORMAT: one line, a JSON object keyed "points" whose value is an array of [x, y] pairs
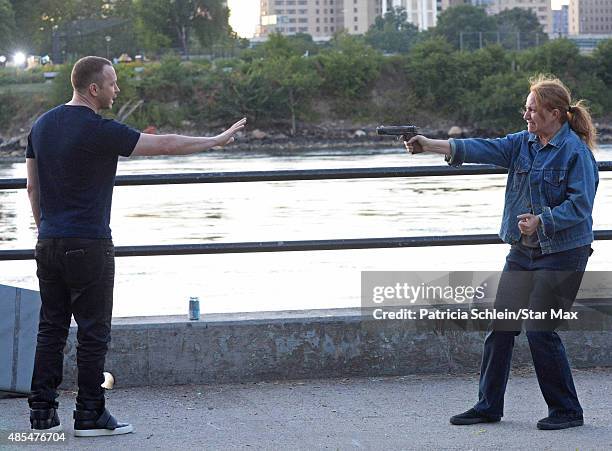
{"points": [[409, 412]]}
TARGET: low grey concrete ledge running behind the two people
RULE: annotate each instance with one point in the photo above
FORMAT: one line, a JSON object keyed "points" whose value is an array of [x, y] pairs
{"points": [[301, 345]]}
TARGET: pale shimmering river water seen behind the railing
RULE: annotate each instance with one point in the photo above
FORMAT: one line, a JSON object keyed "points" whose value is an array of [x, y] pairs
{"points": [[273, 211]]}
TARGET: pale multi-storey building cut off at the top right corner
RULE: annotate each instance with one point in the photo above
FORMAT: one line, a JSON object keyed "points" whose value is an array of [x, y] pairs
{"points": [[590, 17]]}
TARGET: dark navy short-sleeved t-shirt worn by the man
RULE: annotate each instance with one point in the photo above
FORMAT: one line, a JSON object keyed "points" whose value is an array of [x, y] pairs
{"points": [[76, 152]]}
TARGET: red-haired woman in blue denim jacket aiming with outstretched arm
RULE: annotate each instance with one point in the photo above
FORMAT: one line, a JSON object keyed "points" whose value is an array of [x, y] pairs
{"points": [[552, 180]]}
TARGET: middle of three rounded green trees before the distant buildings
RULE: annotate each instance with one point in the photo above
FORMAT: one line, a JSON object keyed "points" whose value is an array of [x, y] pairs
{"points": [[461, 24]]}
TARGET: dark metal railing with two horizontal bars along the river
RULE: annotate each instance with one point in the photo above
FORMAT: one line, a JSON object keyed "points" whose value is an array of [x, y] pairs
{"points": [[303, 245]]}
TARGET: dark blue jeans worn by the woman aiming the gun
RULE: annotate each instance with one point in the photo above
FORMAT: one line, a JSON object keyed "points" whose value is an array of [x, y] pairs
{"points": [[544, 281]]}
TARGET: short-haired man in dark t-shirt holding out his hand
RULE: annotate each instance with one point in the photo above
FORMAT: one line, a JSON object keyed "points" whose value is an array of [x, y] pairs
{"points": [[71, 161]]}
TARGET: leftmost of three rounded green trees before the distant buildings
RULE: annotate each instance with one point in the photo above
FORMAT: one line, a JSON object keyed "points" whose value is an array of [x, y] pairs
{"points": [[392, 33]]}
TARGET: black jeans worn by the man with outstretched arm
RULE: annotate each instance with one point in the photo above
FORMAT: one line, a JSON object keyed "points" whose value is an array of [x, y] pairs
{"points": [[76, 277]]}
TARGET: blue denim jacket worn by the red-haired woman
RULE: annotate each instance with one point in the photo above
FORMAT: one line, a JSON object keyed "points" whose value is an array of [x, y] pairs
{"points": [[557, 181]]}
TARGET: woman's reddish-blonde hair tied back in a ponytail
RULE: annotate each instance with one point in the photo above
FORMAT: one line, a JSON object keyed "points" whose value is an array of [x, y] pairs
{"points": [[552, 94]]}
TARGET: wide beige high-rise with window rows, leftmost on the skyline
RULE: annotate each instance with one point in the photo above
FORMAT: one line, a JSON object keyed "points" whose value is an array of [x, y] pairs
{"points": [[319, 18]]}
